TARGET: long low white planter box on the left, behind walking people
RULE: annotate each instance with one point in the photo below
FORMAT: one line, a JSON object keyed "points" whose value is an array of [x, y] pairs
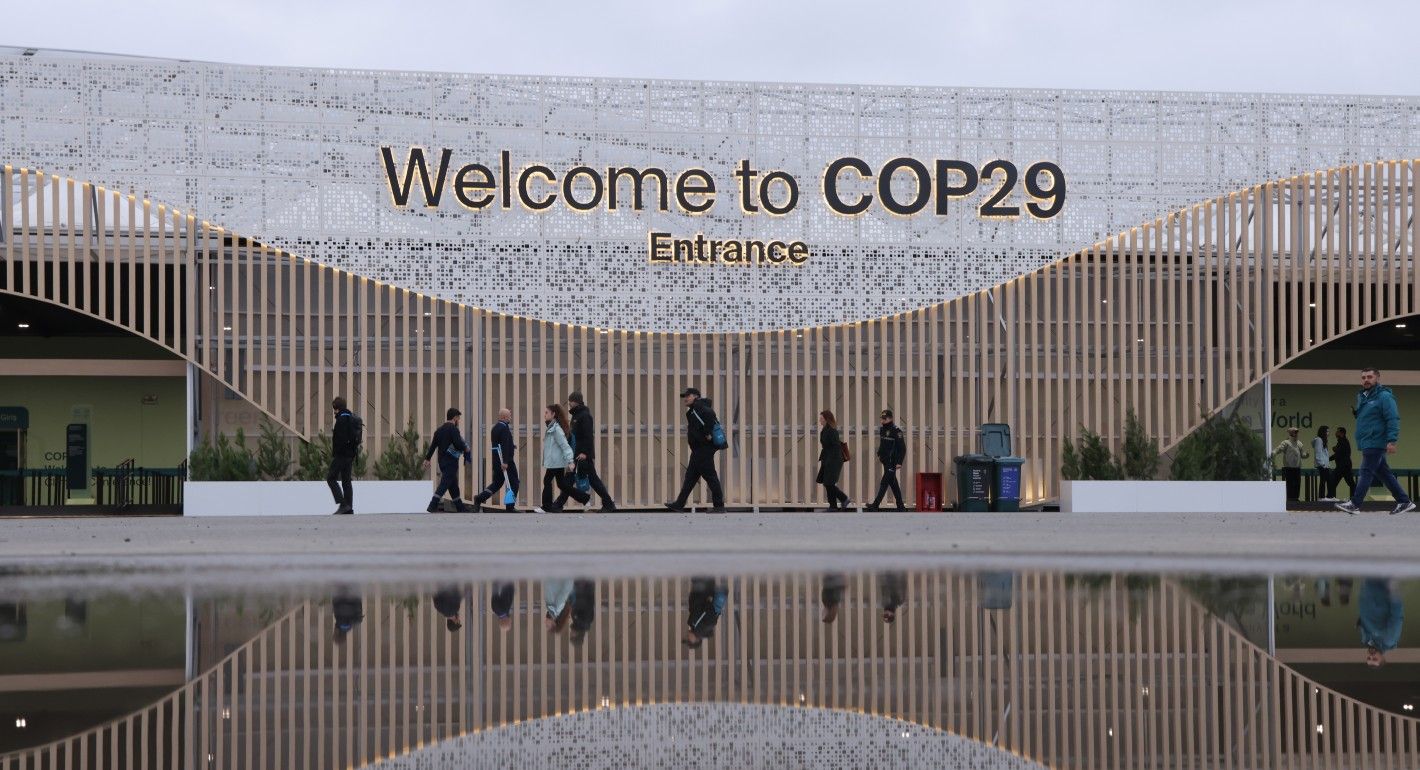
{"points": [[300, 498]]}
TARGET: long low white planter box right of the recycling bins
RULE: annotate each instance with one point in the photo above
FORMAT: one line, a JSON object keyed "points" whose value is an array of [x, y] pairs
{"points": [[1174, 497]]}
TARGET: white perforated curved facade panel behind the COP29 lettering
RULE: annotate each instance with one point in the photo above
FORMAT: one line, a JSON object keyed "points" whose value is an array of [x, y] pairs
{"points": [[292, 158]]}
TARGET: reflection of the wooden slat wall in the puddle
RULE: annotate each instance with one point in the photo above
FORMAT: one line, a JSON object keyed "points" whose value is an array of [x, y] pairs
{"points": [[1070, 673]]}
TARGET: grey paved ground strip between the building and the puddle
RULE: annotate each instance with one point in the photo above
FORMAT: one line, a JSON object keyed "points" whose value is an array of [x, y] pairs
{"points": [[226, 552]]}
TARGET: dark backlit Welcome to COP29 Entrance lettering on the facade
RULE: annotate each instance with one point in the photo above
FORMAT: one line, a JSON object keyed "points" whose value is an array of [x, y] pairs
{"points": [[850, 187]]}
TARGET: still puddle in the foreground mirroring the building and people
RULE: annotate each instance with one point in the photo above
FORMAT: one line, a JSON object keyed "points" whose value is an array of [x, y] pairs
{"points": [[1063, 670]]}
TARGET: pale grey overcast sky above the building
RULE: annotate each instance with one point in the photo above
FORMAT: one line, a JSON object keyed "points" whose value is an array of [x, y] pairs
{"points": [[1293, 46]]}
